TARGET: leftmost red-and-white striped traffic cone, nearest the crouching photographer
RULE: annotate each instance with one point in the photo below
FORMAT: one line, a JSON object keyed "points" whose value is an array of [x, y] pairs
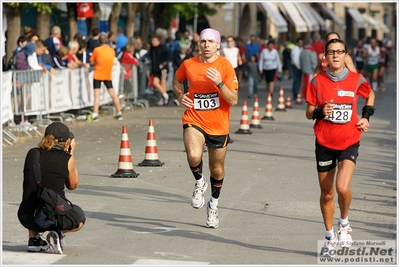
{"points": [[125, 165]]}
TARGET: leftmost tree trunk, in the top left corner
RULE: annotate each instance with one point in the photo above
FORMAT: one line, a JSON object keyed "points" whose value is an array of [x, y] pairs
{"points": [[13, 15]]}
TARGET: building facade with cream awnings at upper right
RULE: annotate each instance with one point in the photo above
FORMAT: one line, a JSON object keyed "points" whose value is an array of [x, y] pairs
{"points": [[286, 21]]}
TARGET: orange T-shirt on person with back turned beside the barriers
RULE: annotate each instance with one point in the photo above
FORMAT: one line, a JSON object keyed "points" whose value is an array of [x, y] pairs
{"points": [[103, 58]]}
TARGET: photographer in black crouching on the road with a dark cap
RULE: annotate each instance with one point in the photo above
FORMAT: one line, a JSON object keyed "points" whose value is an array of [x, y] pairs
{"points": [[52, 167]]}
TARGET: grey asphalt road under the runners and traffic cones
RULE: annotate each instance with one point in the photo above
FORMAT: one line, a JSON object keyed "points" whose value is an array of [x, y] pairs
{"points": [[268, 208]]}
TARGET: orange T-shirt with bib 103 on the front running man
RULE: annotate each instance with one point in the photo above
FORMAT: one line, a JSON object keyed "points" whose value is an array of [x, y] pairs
{"points": [[210, 112]]}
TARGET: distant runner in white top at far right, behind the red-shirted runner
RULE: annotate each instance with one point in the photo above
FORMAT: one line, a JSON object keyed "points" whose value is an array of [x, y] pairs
{"points": [[372, 54]]}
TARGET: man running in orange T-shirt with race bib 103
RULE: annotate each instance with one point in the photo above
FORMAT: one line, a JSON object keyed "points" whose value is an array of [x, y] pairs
{"points": [[213, 89]]}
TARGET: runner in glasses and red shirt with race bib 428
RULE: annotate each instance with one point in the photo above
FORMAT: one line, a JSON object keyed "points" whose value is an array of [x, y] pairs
{"points": [[332, 97]]}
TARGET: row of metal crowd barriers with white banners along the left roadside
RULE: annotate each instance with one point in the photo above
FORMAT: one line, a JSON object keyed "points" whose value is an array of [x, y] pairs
{"points": [[50, 96]]}
